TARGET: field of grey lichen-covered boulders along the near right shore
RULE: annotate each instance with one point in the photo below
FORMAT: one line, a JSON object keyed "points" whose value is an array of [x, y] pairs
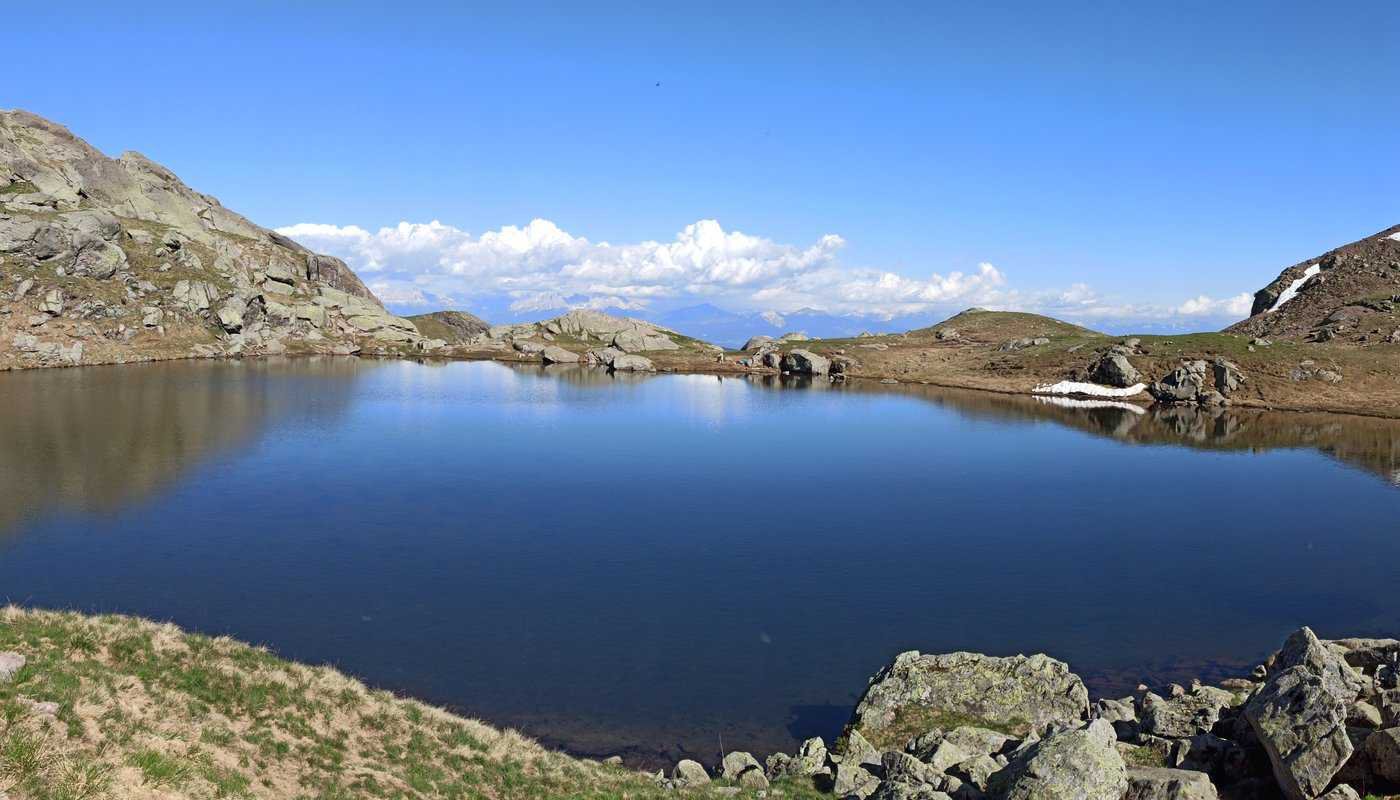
{"points": [[1318, 719]]}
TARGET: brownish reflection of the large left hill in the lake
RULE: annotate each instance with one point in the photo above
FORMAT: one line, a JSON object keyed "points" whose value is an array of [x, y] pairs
{"points": [[97, 439]]}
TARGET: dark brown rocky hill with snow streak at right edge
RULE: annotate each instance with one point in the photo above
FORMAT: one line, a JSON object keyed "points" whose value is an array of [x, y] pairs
{"points": [[1347, 295]]}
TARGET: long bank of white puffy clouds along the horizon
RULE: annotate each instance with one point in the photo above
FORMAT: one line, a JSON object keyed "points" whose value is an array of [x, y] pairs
{"points": [[541, 268]]}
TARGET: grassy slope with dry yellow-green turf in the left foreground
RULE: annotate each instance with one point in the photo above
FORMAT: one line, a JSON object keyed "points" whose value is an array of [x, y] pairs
{"points": [[150, 712]]}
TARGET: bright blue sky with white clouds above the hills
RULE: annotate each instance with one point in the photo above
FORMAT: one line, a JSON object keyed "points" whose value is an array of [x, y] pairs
{"points": [[1108, 162]]}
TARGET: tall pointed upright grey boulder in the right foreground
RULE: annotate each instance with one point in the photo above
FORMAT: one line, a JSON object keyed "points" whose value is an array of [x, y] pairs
{"points": [[1301, 715]]}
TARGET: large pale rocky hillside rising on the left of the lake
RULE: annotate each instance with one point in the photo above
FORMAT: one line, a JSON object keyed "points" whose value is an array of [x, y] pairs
{"points": [[115, 260]]}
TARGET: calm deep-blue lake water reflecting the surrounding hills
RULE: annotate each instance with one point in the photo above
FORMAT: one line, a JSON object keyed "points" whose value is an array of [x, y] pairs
{"points": [[645, 565]]}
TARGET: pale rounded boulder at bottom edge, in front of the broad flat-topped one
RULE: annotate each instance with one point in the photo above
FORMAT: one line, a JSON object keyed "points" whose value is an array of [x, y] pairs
{"points": [[1080, 764]]}
